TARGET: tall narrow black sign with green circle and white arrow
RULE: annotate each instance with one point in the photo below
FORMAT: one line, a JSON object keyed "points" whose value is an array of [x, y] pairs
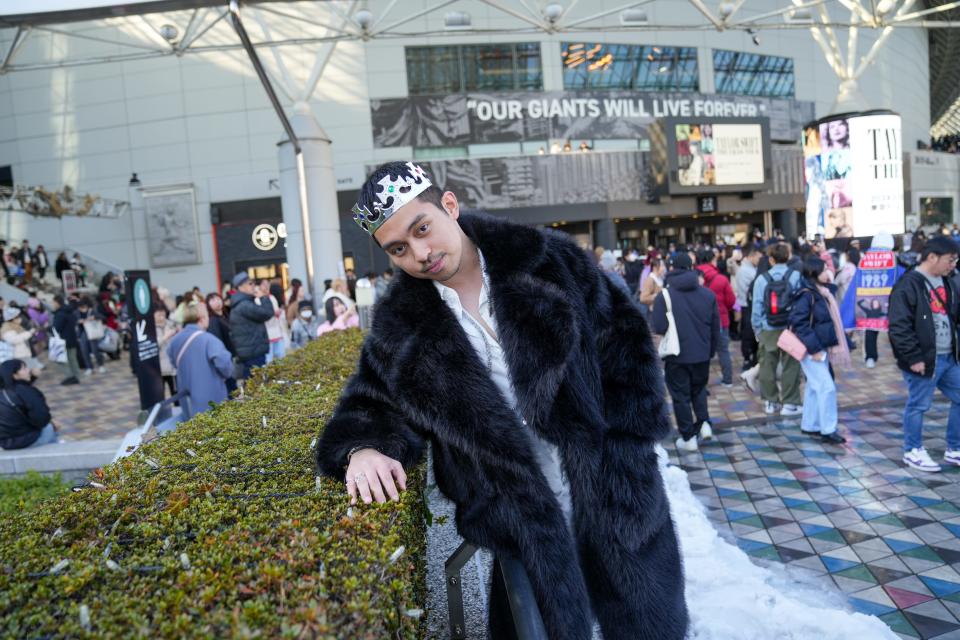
{"points": [[146, 351]]}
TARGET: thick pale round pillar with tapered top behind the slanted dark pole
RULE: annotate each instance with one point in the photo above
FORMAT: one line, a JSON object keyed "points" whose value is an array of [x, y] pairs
{"points": [[321, 195]]}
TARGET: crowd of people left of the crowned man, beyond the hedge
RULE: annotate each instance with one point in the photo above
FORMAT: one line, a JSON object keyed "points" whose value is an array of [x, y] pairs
{"points": [[207, 343]]}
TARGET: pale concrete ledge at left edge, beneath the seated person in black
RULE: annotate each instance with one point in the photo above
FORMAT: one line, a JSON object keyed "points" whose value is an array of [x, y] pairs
{"points": [[63, 456]]}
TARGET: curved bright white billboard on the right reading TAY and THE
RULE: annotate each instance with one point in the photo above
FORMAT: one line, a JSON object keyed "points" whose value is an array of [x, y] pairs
{"points": [[853, 169]]}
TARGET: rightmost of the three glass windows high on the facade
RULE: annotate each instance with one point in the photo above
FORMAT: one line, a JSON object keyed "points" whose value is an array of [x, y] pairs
{"points": [[752, 74]]}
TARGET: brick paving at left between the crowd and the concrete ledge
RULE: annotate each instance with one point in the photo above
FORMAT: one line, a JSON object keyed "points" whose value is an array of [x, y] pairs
{"points": [[103, 405]]}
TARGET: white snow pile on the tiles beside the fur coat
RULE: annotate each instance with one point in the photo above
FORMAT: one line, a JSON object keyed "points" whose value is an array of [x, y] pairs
{"points": [[730, 598]]}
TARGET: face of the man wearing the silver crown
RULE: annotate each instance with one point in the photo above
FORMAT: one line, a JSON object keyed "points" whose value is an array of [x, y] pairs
{"points": [[425, 240]]}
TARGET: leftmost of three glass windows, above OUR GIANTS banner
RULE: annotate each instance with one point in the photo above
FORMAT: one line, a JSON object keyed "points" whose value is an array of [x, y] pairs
{"points": [[488, 67]]}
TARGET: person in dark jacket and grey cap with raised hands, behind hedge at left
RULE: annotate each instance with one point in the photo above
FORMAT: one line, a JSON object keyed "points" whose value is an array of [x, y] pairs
{"points": [[248, 313]]}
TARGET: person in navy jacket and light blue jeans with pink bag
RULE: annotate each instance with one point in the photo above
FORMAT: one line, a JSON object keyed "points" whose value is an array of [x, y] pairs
{"points": [[815, 320]]}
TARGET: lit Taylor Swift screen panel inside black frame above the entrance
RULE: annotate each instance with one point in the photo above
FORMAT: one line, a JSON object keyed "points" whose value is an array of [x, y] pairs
{"points": [[719, 155]]}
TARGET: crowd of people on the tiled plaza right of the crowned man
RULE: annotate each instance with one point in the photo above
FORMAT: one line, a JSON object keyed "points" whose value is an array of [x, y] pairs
{"points": [[782, 301]]}
